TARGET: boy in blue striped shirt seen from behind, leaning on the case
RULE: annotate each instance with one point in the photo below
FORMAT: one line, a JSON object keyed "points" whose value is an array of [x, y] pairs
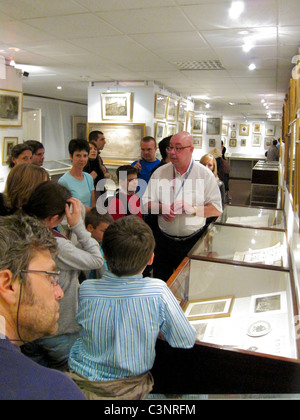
{"points": [[122, 315]]}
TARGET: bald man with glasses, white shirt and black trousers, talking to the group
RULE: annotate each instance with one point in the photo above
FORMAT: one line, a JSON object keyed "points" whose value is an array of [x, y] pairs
{"points": [[183, 193]]}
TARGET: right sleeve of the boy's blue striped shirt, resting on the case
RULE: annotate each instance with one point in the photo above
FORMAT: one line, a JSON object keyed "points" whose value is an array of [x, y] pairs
{"points": [[176, 328]]}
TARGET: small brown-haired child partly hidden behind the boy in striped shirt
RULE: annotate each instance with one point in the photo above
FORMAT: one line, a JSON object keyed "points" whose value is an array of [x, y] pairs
{"points": [[97, 224]]}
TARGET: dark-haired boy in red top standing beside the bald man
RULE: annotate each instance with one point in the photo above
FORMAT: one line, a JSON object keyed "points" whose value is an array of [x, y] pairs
{"points": [[125, 202]]}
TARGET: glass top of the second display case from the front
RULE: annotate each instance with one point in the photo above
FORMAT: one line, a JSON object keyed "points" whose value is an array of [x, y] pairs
{"points": [[243, 246]]}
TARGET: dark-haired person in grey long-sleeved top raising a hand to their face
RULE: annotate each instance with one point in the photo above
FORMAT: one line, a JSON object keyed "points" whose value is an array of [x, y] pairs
{"points": [[50, 202]]}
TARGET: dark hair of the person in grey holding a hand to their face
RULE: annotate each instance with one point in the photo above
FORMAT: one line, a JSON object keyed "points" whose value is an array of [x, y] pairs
{"points": [[47, 200]]}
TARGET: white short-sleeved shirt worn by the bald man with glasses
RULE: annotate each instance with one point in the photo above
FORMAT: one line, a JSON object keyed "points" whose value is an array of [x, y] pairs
{"points": [[198, 186]]}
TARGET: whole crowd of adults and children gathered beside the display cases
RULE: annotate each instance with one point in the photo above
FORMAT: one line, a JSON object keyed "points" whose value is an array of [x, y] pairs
{"points": [[83, 294]]}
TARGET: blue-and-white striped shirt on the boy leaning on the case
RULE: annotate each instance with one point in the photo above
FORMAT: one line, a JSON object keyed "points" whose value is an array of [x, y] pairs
{"points": [[121, 319]]}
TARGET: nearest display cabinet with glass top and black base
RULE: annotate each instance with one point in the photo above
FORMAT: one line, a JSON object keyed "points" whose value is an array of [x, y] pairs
{"points": [[247, 339]]}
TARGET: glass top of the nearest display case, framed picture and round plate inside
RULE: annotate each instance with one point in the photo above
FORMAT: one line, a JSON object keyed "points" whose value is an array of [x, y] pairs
{"points": [[237, 307]]}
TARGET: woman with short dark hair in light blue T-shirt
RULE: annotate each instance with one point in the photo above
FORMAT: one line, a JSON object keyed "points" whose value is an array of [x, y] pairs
{"points": [[78, 182]]}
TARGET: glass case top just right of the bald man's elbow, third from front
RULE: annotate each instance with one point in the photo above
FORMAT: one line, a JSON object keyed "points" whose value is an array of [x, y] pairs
{"points": [[255, 217]]}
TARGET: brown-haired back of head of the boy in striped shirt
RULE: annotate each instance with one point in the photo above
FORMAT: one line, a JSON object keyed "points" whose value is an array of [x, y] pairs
{"points": [[128, 246]]}
